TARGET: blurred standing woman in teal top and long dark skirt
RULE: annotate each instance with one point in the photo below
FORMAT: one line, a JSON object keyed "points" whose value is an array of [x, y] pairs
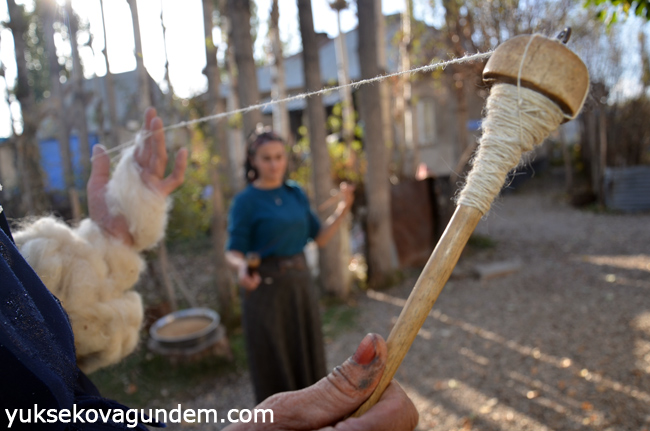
{"points": [[272, 218]]}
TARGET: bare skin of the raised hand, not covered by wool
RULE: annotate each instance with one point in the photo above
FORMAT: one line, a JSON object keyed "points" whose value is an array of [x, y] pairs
{"points": [[152, 160]]}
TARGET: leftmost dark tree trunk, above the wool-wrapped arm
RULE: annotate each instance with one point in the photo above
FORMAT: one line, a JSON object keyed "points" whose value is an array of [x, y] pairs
{"points": [[33, 196]]}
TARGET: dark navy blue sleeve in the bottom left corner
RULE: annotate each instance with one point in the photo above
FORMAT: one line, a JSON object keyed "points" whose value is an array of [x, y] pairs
{"points": [[37, 355]]}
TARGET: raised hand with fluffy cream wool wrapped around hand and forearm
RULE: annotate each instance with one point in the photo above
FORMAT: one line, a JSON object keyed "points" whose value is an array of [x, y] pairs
{"points": [[92, 268]]}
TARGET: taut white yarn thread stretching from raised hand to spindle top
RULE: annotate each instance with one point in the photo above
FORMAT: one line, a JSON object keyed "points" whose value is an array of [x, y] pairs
{"points": [[426, 68]]}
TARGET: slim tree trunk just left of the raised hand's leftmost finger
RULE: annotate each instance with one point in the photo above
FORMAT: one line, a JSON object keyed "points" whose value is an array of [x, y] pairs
{"points": [[79, 97]]}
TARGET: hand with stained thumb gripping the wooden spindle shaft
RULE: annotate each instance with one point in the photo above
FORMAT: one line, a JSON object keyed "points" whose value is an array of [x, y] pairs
{"points": [[324, 405]]}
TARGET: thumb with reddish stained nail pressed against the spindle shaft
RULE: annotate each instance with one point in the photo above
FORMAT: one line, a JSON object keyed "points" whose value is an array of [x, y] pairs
{"points": [[335, 396]]}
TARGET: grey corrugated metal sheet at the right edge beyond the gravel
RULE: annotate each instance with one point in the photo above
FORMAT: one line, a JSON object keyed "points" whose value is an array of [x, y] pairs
{"points": [[627, 189]]}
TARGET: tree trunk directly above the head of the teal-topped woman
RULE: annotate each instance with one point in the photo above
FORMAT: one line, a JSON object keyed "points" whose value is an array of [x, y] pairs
{"points": [[239, 13]]}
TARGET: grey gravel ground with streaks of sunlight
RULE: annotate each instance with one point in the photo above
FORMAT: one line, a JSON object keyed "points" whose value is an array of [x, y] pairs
{"points": [[562, 344]]}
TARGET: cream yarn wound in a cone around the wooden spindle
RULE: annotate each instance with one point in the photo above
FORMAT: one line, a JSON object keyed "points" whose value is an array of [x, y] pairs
{"points": [[516, 120]]}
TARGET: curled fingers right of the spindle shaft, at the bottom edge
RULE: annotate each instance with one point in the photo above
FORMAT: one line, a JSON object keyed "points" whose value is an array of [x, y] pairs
{"points": [[393, 412]]}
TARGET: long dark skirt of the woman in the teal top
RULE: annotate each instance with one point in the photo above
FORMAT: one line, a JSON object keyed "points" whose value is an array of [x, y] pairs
{"points": [[282, 326]]}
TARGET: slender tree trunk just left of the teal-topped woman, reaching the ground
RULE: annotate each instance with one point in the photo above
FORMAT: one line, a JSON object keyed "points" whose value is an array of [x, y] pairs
{"points": [[223, 277]]}
